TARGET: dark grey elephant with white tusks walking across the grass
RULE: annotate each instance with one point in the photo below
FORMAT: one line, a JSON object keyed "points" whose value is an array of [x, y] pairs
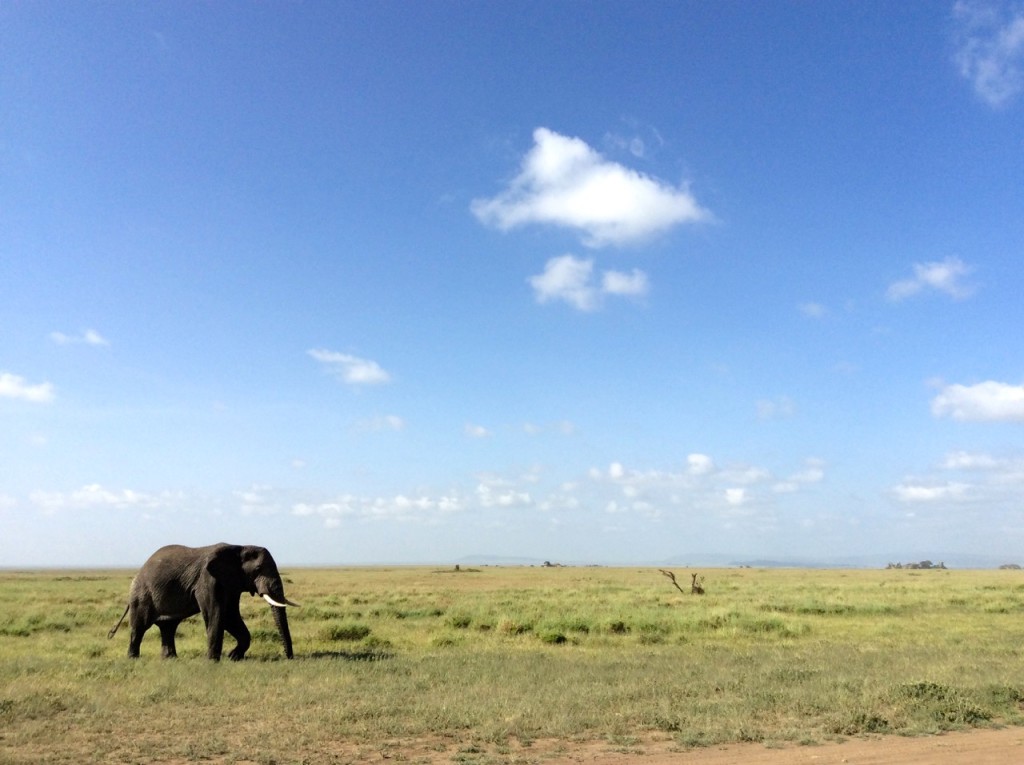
{"points": [[179, 582]]}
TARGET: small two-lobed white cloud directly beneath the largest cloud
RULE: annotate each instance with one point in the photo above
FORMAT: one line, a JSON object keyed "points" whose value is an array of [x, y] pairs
{"points": [[572, 280]]}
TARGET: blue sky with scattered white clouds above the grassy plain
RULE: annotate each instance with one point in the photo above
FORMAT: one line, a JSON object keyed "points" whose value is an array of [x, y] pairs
{"points": [[596, 283]]}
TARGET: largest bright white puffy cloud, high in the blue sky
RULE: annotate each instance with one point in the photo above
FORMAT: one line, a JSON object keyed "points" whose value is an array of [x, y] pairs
{"points": [[566, 183]]}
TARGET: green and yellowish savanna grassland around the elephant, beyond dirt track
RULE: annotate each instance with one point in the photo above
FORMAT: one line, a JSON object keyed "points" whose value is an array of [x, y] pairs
{"points": [[477, 665]]}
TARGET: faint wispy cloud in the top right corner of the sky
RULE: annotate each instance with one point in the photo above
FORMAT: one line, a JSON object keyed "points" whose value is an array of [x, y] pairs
{"points": [[991, 50]]}
